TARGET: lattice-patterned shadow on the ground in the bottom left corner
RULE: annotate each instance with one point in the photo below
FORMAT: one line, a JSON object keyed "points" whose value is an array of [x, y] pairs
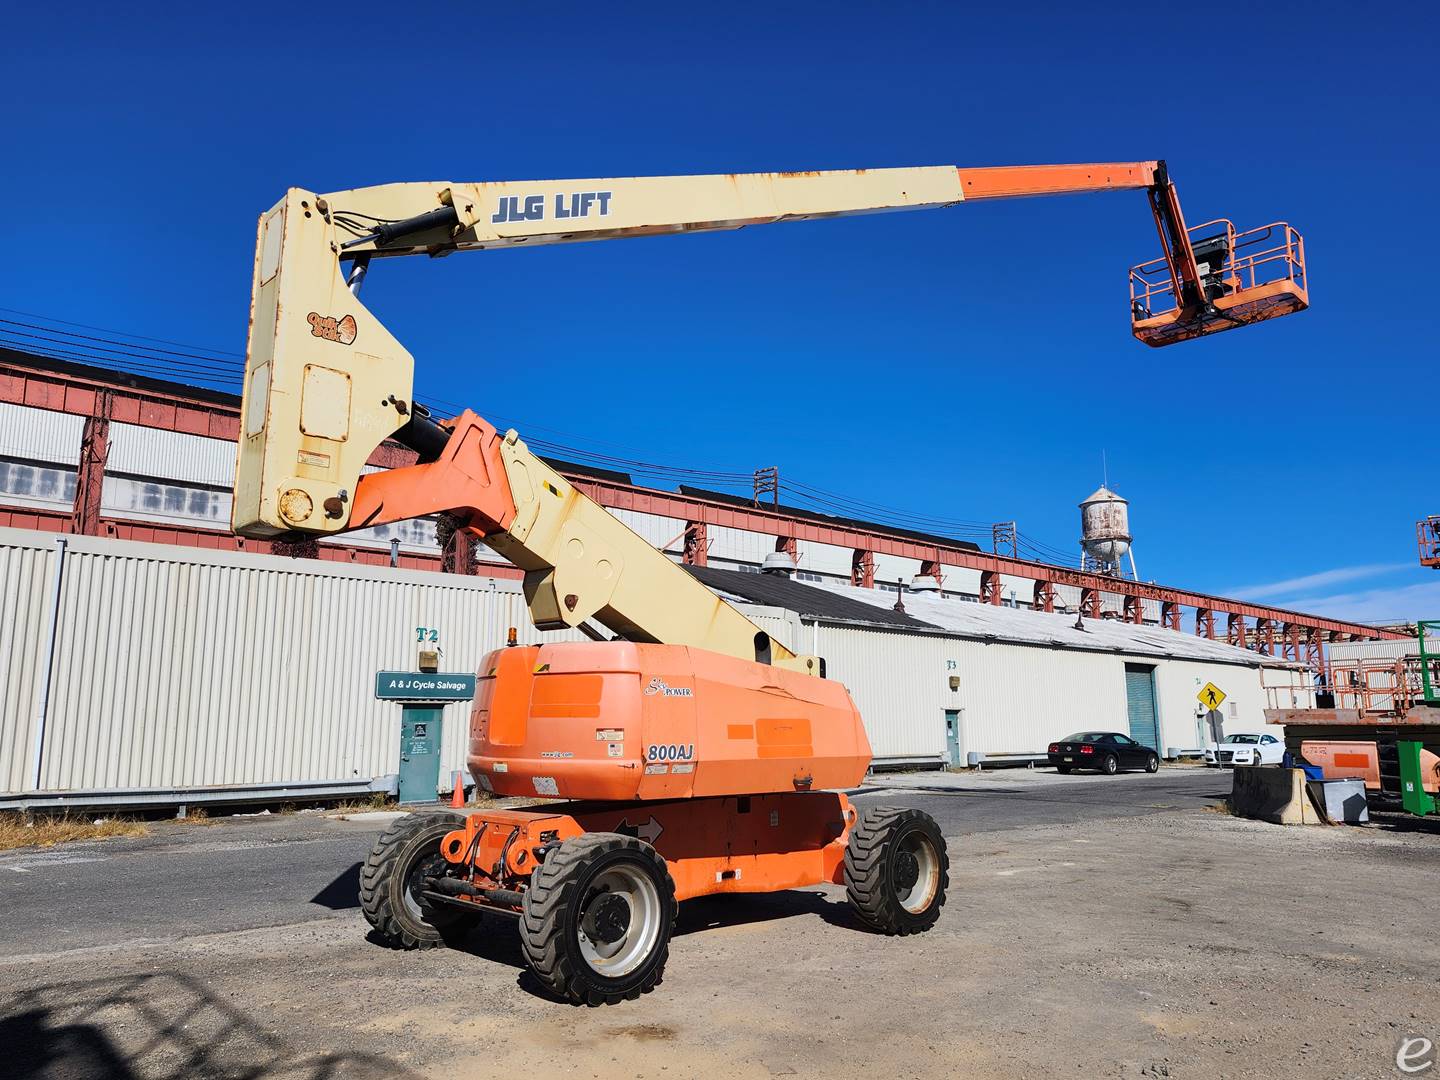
{"points": [[158, 1026]]}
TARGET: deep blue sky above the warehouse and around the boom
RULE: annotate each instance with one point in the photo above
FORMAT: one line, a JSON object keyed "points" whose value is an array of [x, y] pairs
{"points": [[967, 365]]}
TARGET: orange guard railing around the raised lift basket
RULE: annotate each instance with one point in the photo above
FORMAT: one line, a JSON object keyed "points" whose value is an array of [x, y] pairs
{"points": [[1258, 257]]}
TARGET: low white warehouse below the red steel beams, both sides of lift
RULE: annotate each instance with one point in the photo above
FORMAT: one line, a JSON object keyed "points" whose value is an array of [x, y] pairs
{"points": [[163, 675]]}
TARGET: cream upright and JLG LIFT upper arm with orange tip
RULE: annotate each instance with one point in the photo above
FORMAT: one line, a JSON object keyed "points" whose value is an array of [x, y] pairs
{"points": [[326, 382]]}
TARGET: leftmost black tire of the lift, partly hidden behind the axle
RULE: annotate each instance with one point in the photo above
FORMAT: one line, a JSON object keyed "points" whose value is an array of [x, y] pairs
{"points": [[411, 842]]}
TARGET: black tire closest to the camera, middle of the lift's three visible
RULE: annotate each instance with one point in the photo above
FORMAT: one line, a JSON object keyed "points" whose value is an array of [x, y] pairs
{"points": [[555, 902]]}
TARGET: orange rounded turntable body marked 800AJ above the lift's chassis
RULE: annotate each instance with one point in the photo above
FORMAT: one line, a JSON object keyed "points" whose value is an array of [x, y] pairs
{"points": [[624, 722]]}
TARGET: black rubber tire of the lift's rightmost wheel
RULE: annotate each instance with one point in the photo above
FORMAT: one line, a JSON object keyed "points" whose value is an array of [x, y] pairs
{"points": [[870, 869]]}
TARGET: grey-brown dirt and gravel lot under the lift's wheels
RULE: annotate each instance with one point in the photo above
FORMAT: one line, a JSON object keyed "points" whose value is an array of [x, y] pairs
{"points": [[1182, 944]]}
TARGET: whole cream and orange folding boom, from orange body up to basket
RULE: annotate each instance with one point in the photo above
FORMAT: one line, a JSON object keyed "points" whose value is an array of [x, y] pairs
{"points": [[326, 384]]}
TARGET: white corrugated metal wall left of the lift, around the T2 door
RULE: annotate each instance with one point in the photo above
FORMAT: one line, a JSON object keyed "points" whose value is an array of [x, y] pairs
{"points": [[181, 667]]}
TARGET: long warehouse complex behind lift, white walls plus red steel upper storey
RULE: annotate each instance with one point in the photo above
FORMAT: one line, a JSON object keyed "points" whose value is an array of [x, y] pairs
{"points": [[149, 654]]}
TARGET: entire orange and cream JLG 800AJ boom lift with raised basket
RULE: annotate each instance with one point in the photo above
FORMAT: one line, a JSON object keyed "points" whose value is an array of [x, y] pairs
{"points": [[689, 752]]}
